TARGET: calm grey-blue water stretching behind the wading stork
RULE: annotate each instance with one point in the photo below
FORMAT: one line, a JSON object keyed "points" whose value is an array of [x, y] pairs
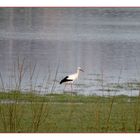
{"points": [[104, 42]]}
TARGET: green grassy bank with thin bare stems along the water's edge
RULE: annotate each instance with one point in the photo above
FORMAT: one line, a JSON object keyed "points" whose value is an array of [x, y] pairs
{"points": [[65, 113]]}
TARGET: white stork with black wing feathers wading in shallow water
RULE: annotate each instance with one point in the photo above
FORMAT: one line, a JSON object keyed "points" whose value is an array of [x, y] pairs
{"points": [[71, 78]]}
